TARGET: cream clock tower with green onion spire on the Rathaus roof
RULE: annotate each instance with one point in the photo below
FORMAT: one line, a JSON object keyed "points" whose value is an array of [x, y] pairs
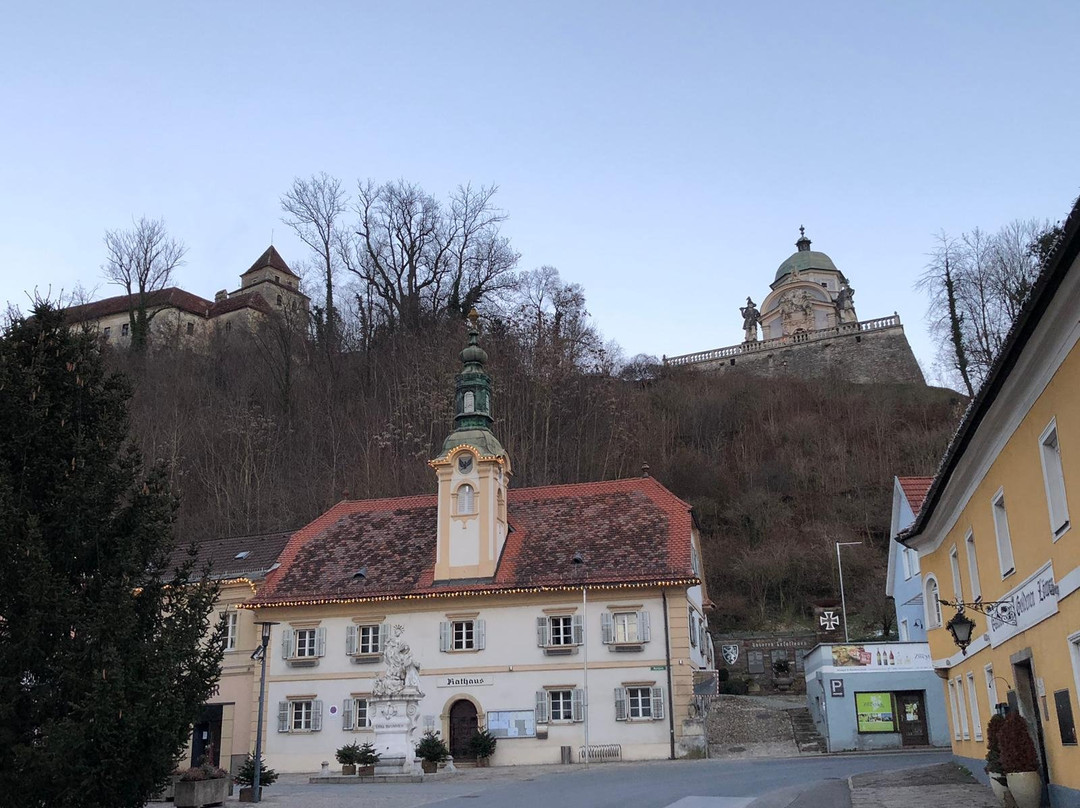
{"points": [[474, 474]]}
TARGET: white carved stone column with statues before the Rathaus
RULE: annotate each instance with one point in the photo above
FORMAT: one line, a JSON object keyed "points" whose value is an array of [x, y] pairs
{"points": [[396, 707]]}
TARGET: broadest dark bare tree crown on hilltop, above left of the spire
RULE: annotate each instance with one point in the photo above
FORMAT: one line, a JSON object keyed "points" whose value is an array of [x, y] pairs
{"points": [[422, 262]]}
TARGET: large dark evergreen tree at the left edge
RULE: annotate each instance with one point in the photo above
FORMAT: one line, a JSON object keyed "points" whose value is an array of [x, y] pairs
{"points": [[104, 659]]}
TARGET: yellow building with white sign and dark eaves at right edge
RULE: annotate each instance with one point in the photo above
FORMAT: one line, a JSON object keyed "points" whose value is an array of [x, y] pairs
{"points": [[995, 536]]}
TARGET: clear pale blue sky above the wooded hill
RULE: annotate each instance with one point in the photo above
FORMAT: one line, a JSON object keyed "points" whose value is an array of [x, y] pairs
{"points": [[660, 155]]}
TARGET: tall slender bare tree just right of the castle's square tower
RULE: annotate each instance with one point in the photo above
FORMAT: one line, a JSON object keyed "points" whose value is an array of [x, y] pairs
{"points": [[314, 209]]}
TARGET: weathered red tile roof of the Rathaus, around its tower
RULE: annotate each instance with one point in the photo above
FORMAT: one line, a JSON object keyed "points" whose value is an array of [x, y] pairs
{"points": [[631, 532]]}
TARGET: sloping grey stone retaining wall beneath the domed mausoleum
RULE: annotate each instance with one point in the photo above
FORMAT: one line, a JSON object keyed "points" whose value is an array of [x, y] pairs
{"points": [[875, 357]]}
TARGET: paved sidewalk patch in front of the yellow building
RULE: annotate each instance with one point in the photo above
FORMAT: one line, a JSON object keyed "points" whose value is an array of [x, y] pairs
{"points": [[946, 786]]}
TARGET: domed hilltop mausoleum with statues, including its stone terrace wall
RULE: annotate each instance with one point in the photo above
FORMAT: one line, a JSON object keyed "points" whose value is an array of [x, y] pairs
{"points": [[807, 327]]}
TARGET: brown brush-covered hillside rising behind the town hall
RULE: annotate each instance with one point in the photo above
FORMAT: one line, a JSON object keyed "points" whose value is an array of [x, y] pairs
{"points": [[265, 433]]}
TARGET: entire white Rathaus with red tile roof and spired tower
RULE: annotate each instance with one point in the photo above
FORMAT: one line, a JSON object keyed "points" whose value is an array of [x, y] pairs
{"points": [[555, 617]]}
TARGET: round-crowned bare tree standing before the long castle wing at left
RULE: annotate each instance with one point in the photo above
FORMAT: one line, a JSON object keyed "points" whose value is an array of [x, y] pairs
{"points": [[142, 261]]}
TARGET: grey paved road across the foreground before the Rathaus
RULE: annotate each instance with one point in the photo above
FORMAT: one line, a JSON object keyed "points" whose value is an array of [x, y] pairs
{"points": [[803, 783]]}
